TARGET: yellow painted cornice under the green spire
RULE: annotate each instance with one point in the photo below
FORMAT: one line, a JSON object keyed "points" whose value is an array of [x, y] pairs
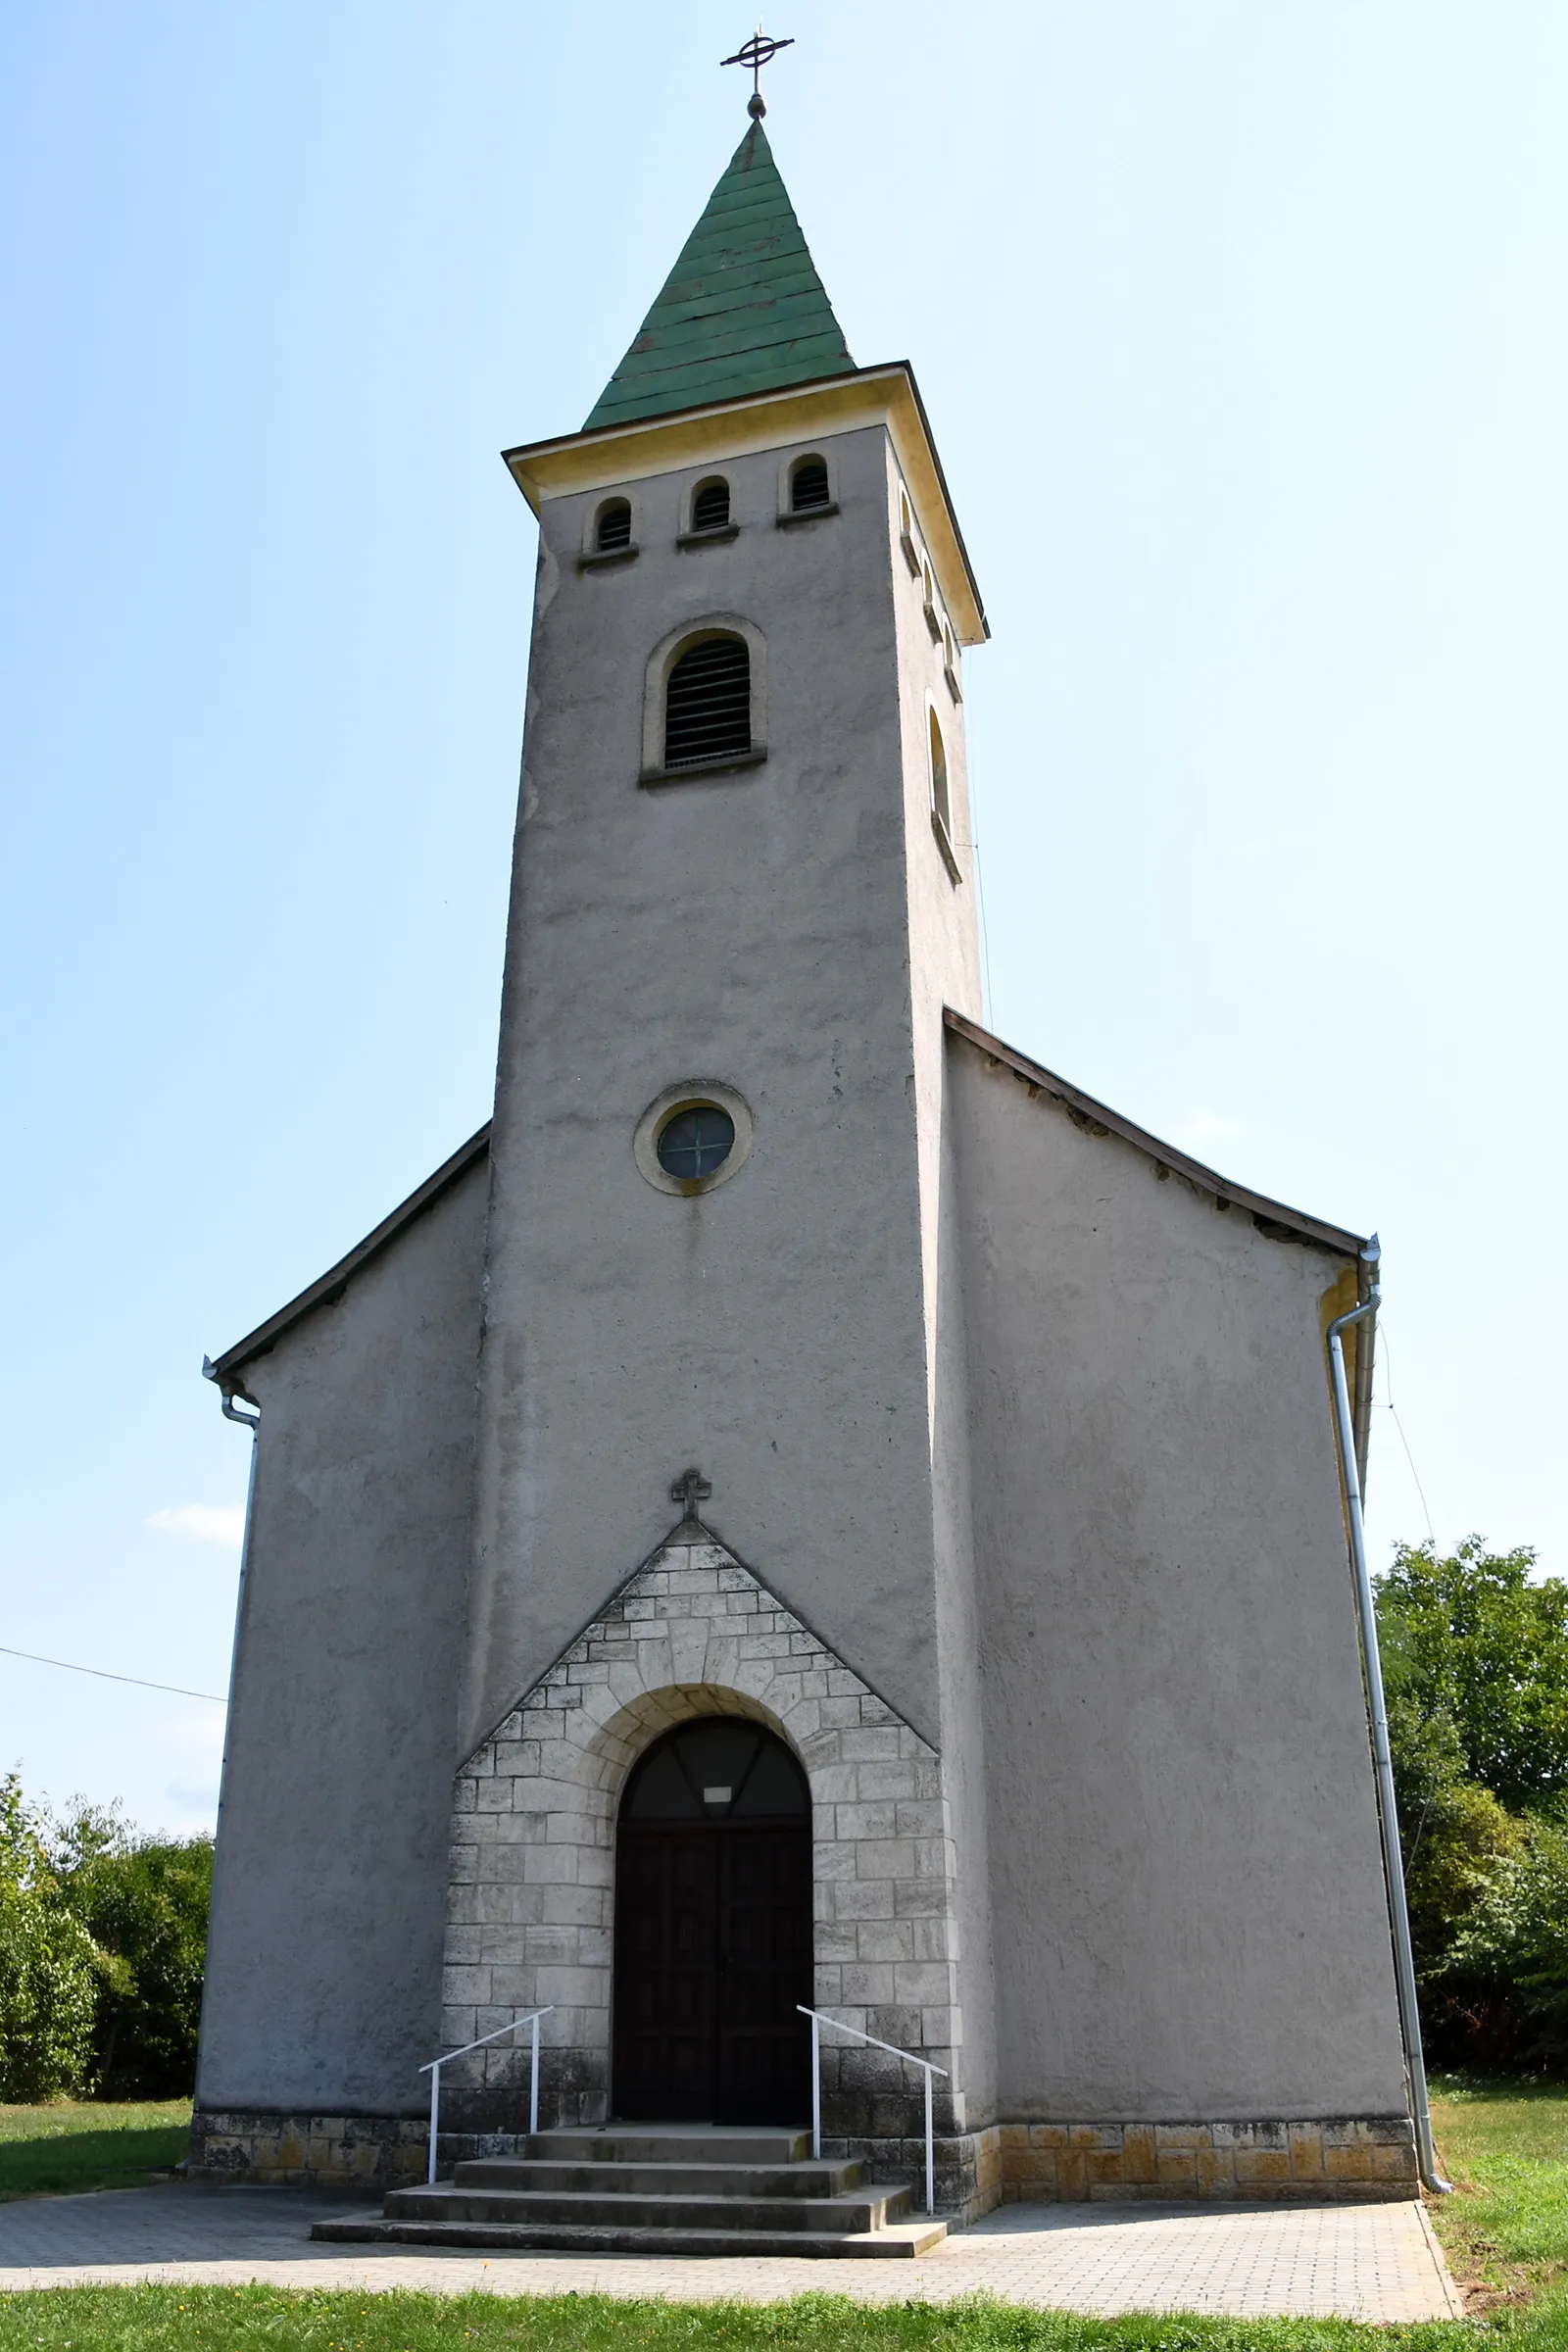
{"points": [[873, 396]]}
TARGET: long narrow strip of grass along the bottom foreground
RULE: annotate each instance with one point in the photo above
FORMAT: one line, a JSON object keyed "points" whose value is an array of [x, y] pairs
{"points": [[272, 2320]]}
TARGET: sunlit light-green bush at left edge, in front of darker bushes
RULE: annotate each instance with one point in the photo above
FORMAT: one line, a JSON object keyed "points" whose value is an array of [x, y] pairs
{"points": [[48, 1965]]}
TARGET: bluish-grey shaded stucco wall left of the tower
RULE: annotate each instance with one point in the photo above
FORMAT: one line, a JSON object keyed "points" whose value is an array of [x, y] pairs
{"points": [[330, 1892]]}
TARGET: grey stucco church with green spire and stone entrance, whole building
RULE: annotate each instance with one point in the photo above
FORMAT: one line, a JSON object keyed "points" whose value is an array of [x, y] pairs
{"points": [[808, 1509]]}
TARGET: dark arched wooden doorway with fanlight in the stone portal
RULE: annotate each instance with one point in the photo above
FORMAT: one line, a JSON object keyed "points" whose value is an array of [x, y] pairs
{"points": [[713, 1930]]}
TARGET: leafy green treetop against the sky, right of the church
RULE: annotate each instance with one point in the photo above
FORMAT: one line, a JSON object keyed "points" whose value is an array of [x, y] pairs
{"points": [[1475, 1645]]}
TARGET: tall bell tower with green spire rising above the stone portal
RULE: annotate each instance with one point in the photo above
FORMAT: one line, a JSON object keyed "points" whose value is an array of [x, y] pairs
{"points": [[744, 895]]}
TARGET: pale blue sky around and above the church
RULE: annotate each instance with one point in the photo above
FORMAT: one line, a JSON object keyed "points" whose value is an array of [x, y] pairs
{"points": [[1245, 335]]}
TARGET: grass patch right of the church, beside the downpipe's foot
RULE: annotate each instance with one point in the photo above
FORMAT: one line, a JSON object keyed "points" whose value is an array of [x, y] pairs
{"points": [[1506, 2229]]}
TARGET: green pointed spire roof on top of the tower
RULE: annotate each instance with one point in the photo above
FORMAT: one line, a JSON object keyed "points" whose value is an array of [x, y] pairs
{"points": [[742, 312]]}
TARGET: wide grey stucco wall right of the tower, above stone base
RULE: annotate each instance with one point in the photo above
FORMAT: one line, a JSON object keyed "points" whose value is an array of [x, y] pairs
{"points": [[1186, 1883]]}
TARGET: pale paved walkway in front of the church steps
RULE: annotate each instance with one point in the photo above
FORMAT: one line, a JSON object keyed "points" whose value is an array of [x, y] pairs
{"points": [[1308, 2261]]}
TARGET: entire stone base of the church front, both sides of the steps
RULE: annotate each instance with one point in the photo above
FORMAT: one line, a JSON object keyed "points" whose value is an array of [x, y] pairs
{"points": [[1346, 2158]]}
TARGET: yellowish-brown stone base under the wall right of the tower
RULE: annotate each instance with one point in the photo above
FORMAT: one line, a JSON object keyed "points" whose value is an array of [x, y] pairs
{"points": [[1343, 2158]]}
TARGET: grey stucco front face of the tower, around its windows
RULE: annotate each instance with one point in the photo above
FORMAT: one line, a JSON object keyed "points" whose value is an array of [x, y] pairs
{"points": [[749, 930]]}
